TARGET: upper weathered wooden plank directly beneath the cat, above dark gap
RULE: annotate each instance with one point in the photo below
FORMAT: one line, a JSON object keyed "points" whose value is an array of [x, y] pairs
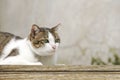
{"points": [[60, 68]]}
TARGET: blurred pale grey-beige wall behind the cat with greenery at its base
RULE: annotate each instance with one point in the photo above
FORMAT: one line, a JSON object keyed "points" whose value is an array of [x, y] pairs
{"points": [[89, 31]]}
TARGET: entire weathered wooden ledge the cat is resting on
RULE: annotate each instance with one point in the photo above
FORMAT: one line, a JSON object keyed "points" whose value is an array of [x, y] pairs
{"points": [[59, 72]]}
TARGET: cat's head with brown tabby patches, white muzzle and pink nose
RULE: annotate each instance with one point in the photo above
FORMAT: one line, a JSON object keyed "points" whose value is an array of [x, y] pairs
{"points": [[44, 41]]}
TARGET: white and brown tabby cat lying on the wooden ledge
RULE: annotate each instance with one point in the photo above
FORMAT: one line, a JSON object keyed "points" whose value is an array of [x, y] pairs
{"points": [[37, 49]]}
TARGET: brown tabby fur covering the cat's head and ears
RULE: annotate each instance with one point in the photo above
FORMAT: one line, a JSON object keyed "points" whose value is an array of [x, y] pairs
{"points": [[39, 35]]}
